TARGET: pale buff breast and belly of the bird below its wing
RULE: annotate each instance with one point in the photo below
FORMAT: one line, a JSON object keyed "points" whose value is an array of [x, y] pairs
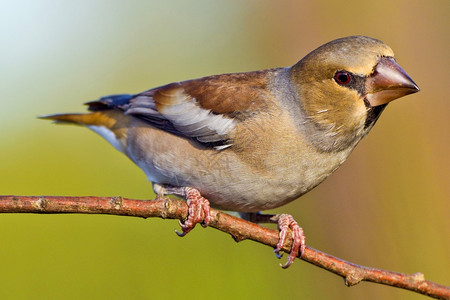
{"points": [[262, 170]]}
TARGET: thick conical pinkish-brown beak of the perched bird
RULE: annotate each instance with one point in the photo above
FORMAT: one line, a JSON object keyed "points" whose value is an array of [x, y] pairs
{"points": [[388, 82]]}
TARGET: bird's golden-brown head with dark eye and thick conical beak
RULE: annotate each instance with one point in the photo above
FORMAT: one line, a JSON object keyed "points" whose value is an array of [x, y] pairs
{"points": [[344, 86]]}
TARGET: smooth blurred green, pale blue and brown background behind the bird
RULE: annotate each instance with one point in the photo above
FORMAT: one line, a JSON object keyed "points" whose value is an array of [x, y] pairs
{"points": [[386, 207]]}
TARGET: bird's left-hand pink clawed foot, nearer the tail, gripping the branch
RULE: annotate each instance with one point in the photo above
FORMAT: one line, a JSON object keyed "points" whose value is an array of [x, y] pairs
{"points": [[198, 211]]}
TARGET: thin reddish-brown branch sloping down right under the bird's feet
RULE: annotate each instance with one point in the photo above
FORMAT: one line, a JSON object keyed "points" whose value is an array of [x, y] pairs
{"points": [[239, 229]]}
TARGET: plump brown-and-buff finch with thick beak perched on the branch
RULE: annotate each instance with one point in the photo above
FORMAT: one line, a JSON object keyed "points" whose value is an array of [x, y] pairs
{"points": [[252, 141]]}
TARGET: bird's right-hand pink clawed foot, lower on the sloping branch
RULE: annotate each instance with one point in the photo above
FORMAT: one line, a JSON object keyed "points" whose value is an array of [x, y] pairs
{"points": [[286, 222]]}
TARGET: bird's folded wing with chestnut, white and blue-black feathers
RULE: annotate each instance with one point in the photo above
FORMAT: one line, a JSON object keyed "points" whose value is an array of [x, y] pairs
{"points": [[205, 109]]}
